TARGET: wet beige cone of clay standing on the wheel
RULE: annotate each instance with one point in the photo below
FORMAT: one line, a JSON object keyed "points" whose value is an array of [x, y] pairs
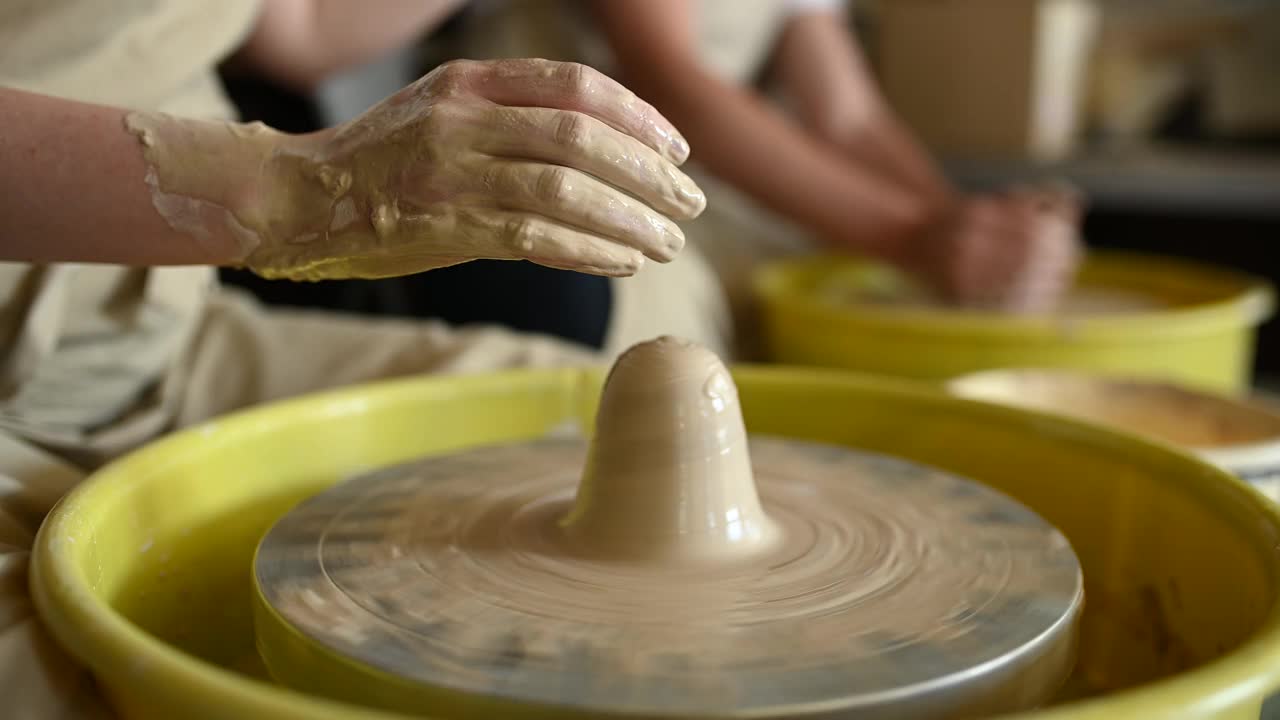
{"points": [[669, 476]]}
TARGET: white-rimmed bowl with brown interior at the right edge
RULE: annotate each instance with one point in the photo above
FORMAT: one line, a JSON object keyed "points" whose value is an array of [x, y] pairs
{"points": [[1240, 436]]}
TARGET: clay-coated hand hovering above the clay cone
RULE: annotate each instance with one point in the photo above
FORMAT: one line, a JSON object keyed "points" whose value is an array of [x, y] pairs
{"points": [[518, 160]]}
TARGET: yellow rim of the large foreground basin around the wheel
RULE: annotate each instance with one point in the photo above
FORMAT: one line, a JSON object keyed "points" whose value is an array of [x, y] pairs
{"points": [[103, 639]]}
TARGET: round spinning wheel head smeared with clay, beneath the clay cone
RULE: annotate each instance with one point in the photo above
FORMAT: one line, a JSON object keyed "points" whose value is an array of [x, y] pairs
{"points": [[895, 591]]}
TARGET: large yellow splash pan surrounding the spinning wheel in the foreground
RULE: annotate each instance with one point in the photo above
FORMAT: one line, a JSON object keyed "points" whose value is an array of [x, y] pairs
{"points": [[144, 572]]}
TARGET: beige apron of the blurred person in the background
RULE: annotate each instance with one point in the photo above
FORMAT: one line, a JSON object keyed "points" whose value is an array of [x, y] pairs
{"points": [[706, 293]]}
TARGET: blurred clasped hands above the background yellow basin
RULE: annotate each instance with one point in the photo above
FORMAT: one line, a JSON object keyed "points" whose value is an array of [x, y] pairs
{"points": [[1017, 252]]}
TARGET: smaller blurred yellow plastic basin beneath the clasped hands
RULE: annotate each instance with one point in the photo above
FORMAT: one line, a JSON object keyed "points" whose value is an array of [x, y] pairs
{"points": [[1203, 336]]}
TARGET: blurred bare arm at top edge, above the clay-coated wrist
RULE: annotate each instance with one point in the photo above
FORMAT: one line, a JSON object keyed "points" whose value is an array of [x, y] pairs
{"points": [[303, 43]]}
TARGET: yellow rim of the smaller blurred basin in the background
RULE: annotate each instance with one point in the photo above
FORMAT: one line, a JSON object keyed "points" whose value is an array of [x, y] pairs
{"points": [[1241, 300]]}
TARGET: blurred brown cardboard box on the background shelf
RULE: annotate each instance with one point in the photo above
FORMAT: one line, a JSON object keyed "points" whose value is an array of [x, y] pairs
{"points": [[989, 78]]}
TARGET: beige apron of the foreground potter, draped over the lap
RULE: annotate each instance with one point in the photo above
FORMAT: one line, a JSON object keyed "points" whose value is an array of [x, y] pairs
{"points": [[98, 359]]}
